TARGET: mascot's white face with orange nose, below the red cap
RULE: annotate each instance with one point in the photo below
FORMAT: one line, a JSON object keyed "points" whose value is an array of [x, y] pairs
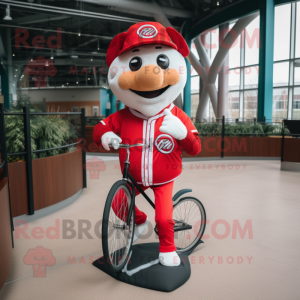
{"points": [[148, 78]]}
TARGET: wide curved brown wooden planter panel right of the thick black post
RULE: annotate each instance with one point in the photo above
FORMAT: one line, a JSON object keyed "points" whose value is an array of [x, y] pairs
{"points": [[56, 178]]}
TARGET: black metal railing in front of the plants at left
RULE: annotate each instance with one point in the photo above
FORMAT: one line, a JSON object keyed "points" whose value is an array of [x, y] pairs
{"points": [[28, 151]]}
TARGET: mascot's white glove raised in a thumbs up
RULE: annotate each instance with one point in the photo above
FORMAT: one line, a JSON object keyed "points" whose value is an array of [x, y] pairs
{"points": [[173, 126]]}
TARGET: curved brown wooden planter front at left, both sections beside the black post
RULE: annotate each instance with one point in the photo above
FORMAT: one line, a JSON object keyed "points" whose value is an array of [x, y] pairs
{"points": [[55, 179]]}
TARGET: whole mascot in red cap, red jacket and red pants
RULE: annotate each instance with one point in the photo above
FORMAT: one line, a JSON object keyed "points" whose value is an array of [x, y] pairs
{"points": [[147, 72]]}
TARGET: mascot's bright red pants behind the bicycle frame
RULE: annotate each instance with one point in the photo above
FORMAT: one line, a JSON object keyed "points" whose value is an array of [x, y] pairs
{"points": [[163, 215]]}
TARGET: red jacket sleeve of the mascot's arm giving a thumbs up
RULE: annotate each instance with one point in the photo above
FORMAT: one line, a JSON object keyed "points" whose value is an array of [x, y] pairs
{"points": [[191, 144]]}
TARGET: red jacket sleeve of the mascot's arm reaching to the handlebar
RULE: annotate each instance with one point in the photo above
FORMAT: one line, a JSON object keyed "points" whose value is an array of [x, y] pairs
{"points": [[111, 123]]}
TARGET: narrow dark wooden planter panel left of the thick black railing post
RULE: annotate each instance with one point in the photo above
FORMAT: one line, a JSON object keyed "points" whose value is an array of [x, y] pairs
{"points": [[18, 188]]}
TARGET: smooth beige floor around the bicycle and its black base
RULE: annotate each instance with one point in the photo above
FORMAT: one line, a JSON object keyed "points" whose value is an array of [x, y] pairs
{"points": [[256, 193]]}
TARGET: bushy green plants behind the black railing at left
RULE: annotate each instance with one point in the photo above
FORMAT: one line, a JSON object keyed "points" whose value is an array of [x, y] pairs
{"points": [[47, 131]]}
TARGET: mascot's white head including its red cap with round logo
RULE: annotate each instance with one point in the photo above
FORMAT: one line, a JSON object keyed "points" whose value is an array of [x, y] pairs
{"points": [[147, 70]]}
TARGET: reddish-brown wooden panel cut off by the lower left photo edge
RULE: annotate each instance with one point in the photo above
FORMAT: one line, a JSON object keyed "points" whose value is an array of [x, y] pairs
{"points": [[6, 250]]}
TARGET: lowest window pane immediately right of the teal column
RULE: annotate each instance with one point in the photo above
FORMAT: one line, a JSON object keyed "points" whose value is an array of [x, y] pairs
{"points": [[280, 103]]}
